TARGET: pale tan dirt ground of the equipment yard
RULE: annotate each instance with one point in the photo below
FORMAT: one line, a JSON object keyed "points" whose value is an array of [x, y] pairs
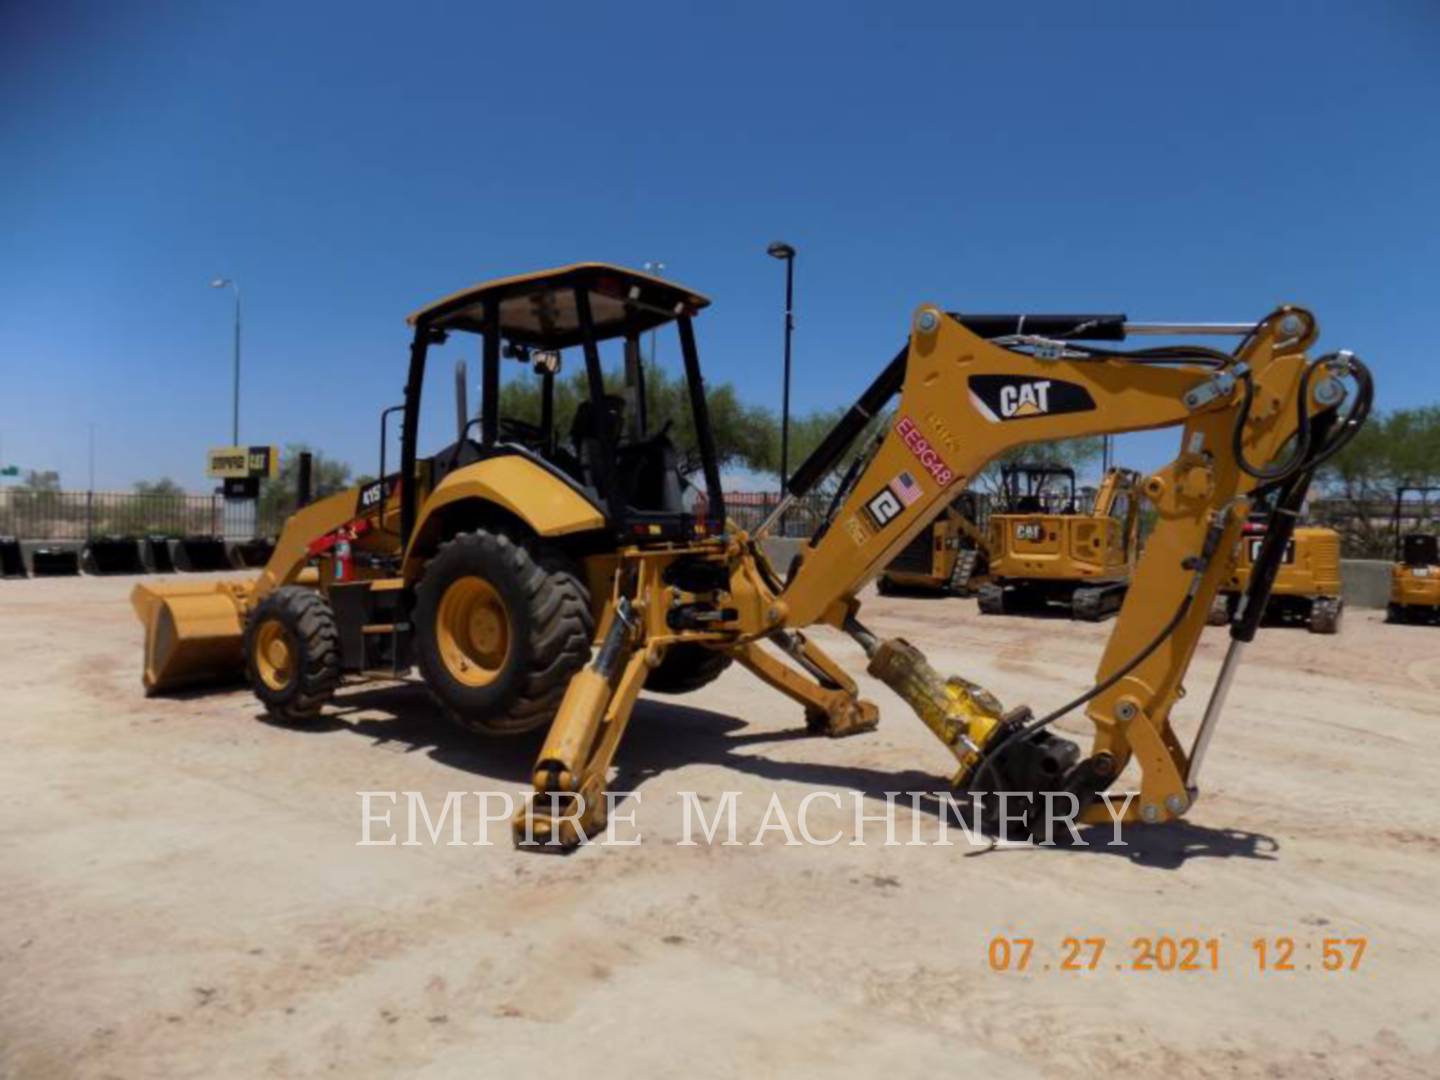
{"points": [[184, 892]]}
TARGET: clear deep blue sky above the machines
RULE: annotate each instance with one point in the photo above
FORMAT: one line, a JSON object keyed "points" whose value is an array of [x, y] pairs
{"points": [[348, 163]]}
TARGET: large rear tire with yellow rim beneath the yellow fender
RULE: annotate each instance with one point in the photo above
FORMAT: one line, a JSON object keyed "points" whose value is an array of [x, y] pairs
{"points": [[500, 631]]}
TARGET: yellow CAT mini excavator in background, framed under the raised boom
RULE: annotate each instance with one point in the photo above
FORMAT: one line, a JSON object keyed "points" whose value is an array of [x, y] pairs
{"points": [[1045, 549]]}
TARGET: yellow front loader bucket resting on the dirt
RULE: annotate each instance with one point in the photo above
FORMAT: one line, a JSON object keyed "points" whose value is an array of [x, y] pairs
{"points": [[194, 633]]}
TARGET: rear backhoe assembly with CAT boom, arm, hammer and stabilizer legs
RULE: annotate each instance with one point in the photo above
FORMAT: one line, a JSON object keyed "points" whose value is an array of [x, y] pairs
{"points": [[1261, 420]]}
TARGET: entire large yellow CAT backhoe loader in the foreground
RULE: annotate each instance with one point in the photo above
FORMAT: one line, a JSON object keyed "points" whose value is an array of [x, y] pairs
{"points": [[496, 564]]}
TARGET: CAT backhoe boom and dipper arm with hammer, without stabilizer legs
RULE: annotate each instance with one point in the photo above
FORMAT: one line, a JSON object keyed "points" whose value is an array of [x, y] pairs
{"points": [[964, 401]]}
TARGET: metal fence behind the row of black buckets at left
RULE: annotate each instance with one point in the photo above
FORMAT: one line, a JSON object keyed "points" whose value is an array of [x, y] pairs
{"points": [[38, 515]]}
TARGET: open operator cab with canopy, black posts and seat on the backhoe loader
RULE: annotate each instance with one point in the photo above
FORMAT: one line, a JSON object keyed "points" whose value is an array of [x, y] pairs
{"points": [[607, 449]]}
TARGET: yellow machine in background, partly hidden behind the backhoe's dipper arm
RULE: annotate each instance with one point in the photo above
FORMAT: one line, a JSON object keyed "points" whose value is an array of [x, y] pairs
{"points": [[1307, 588]]}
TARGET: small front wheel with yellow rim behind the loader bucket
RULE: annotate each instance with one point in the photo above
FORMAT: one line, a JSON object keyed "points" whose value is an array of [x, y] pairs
{"points": [[293, 654]]}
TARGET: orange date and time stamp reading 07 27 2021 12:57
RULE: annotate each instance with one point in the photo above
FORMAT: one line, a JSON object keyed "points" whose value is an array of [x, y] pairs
{"points": [[1177, 954]]}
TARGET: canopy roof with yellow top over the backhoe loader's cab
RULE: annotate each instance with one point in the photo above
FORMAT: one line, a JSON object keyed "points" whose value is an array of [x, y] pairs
{"points": [[541, 309]]}
